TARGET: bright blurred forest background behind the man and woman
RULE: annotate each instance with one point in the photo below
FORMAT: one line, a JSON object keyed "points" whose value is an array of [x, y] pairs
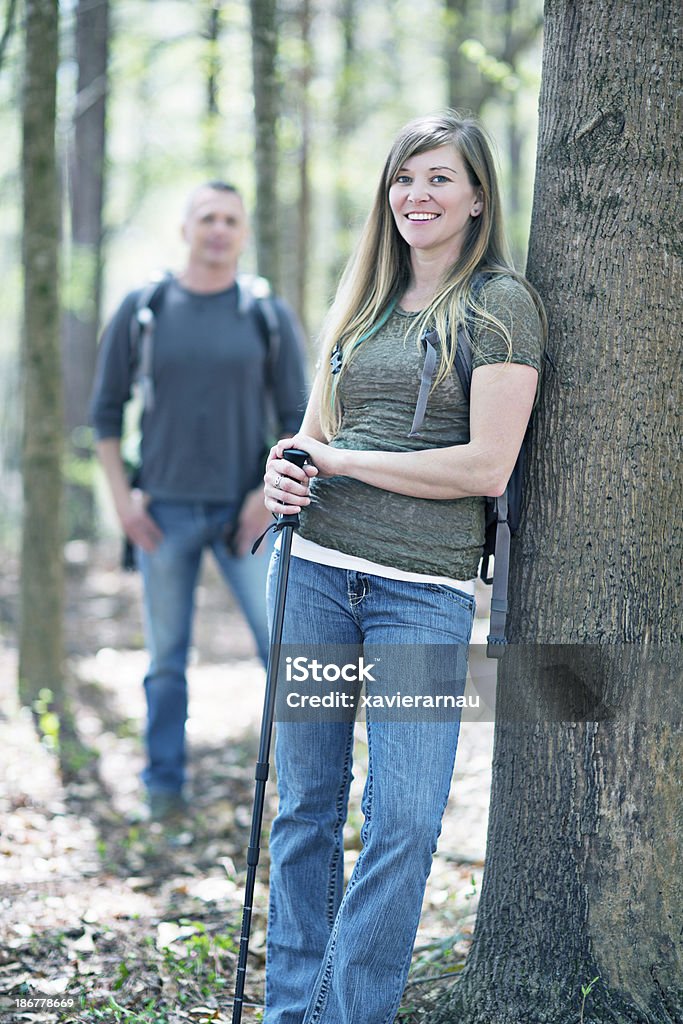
{"points": [[295, 102]]}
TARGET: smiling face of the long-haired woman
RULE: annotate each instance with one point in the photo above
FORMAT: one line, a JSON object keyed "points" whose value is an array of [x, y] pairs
{"points": [[433, 202]]}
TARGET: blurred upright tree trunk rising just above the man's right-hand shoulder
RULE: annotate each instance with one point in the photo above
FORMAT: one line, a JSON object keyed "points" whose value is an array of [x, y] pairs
{"points": [[265, 58]]}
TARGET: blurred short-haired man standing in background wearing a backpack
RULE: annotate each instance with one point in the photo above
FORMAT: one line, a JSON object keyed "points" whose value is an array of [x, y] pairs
{"points": [[211, 381]]}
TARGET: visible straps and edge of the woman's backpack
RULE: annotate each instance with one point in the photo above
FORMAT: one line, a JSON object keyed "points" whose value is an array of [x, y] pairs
{"points": [[502, 515]]}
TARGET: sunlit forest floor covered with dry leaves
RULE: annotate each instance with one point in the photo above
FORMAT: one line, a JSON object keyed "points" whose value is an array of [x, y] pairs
{"points": [[103, 919]]}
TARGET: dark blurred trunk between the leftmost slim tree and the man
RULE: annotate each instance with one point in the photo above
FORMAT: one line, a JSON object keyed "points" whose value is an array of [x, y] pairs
{"points": [[81, 322]]}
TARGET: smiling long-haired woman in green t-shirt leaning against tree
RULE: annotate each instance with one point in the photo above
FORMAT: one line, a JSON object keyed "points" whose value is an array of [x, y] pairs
{"points": [[392, 534]]}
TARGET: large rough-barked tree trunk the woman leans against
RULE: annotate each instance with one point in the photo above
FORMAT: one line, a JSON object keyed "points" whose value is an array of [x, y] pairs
{"points": [[584, 871]]}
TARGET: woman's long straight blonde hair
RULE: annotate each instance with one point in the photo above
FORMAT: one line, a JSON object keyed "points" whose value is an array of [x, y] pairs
{"points": [[379, 271]]}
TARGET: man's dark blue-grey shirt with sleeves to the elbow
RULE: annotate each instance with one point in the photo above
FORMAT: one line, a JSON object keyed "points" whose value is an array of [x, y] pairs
{"points": [[205, 438]]}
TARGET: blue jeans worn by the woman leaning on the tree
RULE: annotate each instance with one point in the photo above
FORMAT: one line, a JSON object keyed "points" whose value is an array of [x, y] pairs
{"points": [[335, 956]]}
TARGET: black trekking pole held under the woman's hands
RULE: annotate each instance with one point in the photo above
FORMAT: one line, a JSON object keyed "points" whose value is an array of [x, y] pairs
{"points": [[287, 525]]}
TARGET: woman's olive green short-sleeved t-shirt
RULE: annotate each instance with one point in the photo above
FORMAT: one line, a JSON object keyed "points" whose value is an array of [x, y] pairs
{"points": [[379, 393]]}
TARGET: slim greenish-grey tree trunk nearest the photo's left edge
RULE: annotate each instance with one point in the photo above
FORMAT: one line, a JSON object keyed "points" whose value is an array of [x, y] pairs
{"points": [[41, 599]]}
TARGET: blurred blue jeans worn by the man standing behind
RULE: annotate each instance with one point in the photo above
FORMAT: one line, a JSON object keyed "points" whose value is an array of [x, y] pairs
{"points": [[169, 576]]}
